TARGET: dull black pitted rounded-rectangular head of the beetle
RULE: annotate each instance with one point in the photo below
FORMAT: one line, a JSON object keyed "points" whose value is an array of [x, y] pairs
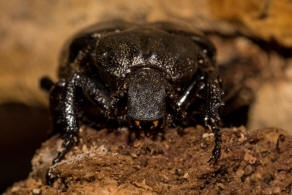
{"points": [[146, 95]]}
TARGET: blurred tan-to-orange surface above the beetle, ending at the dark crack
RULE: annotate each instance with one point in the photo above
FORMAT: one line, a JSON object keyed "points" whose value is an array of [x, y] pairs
{"points": [[34, 32]]}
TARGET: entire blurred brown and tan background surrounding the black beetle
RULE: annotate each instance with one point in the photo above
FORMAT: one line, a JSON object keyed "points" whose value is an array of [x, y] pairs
{"points": [[32, 33]]}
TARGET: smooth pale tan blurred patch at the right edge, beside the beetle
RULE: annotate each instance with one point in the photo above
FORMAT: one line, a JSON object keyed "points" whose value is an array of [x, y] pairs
{"points": [[274, 98]]}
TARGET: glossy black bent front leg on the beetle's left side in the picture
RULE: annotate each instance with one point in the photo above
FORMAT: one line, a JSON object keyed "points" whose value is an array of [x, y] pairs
{"points": [[64, 107]]}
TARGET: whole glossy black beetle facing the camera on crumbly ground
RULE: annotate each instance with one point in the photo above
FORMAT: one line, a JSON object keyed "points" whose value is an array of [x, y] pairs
{"points": [[143, 76]]}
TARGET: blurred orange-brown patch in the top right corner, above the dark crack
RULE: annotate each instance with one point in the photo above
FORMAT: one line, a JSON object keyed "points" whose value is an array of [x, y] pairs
{"points": [[269, 19]]}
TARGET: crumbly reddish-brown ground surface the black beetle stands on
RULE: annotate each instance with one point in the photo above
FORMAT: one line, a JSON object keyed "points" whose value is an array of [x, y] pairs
{"points": [[252, 162]]}
